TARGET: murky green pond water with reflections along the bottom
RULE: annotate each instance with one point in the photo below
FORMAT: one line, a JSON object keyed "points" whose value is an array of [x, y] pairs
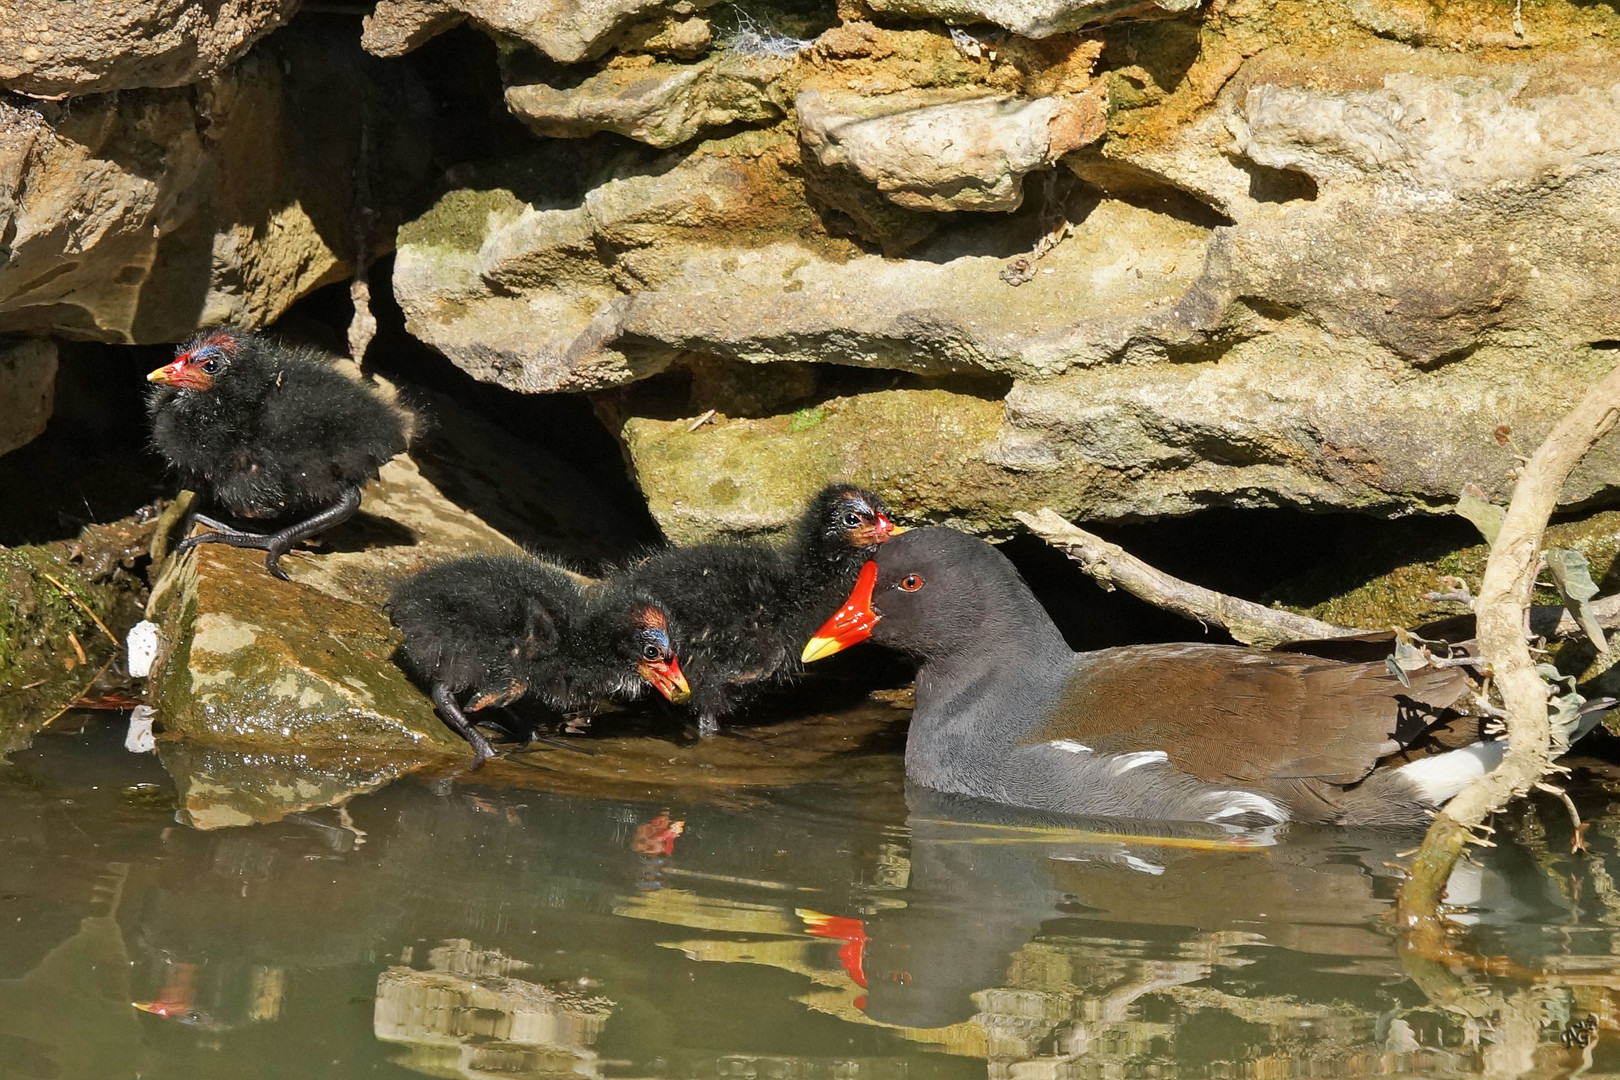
{"points": [[848, 927]]}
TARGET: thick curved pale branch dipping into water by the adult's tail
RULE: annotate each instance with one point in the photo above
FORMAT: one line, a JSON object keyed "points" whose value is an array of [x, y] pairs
{"points": [[1504, 598]]}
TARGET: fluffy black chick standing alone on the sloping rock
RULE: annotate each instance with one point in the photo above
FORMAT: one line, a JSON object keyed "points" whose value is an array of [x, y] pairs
{"points": [[271, 432]]}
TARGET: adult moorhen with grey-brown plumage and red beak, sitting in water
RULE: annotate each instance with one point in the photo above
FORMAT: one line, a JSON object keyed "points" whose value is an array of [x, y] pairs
{"points": [[1193, 733]]}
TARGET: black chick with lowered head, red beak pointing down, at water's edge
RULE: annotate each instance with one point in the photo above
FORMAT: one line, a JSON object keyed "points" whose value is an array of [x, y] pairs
{"points": [[505, 627]]}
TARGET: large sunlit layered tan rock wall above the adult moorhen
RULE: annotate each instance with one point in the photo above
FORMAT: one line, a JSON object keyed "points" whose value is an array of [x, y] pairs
{"points": [[1242, 257]]}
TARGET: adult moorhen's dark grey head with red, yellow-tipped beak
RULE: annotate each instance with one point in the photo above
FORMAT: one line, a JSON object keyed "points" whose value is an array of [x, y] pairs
{"points": [[932, 593]]}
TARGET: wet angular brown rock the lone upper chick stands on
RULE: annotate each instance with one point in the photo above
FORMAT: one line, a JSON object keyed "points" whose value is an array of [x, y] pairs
{"points": [[304, 668]]}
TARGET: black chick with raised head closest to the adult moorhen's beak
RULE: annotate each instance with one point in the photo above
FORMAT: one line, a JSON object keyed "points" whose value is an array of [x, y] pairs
{"points": [[741, 611]]}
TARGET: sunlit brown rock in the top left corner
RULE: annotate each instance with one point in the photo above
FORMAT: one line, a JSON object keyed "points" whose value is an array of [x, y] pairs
{"points": [[51, 49]]}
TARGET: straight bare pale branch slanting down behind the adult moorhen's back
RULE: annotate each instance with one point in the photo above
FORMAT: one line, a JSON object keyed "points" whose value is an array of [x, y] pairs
{"points": [[1111, 566]]}
